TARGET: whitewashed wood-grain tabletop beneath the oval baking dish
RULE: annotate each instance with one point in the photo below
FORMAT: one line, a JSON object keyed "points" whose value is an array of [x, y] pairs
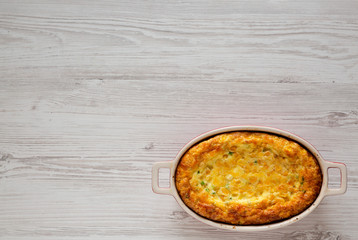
{"points": [[92, 93]]}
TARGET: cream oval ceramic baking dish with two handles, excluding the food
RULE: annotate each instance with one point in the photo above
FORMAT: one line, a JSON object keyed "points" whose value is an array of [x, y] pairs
{"points": [[324, 166]]}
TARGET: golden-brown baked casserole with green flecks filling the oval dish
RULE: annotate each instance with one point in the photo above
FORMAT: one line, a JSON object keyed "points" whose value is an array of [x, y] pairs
{"points": [[248, 178]]}
